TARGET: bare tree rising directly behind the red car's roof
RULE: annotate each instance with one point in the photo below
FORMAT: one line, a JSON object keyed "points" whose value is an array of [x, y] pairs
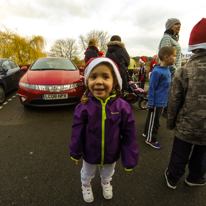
{"points": [[64, 48]]}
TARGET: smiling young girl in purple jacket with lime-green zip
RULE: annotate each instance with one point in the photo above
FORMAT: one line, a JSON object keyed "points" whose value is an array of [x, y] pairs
{"points": [[104, 127]]}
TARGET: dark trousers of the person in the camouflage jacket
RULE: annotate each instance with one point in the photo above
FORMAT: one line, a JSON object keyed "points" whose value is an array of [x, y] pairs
{"points": [[184, 153]]}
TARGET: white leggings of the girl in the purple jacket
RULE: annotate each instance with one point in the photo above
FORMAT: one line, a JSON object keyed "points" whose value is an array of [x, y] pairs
{"points": [[88, 172]]}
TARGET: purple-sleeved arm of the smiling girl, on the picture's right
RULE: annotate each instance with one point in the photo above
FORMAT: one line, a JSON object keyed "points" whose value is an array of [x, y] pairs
{"points": [[129, 149]]}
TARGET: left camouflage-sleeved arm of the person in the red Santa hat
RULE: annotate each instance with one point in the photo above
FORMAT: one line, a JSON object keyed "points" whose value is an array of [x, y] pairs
{"points": [[176, 99]]}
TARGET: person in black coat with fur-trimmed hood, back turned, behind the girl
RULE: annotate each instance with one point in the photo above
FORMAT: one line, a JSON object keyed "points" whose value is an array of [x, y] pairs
{"points": [[117, 52]]}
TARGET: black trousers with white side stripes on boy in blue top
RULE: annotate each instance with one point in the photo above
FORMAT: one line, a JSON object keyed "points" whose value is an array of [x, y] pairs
{"points": [[152, 124]]}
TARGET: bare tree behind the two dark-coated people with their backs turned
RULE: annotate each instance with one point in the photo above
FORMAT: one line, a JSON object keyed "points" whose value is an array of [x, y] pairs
{"points": [[101, 36]]}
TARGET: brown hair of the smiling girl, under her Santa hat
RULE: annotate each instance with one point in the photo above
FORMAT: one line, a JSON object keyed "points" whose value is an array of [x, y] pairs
{"points": [[115, 90]]}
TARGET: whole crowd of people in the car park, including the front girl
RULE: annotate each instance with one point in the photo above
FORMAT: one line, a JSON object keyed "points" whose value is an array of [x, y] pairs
{"points": [[104, 125]]}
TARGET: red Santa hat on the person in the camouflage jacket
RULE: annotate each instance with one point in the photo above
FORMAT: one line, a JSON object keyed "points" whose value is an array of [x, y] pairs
{"points": [[198, 36]]}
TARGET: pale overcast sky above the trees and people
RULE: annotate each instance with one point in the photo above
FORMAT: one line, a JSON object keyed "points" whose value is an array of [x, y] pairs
{"points": [[140, 24]]}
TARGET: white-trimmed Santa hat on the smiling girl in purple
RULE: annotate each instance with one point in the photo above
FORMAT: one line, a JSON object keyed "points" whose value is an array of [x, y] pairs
{"points": [[93, 62]]}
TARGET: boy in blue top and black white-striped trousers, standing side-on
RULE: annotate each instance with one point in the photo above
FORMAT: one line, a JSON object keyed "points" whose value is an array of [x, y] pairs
{"points": [[159, 86]]}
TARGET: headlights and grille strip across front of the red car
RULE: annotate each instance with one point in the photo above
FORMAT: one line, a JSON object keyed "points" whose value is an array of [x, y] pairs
{"points": [[52, 88]]}
